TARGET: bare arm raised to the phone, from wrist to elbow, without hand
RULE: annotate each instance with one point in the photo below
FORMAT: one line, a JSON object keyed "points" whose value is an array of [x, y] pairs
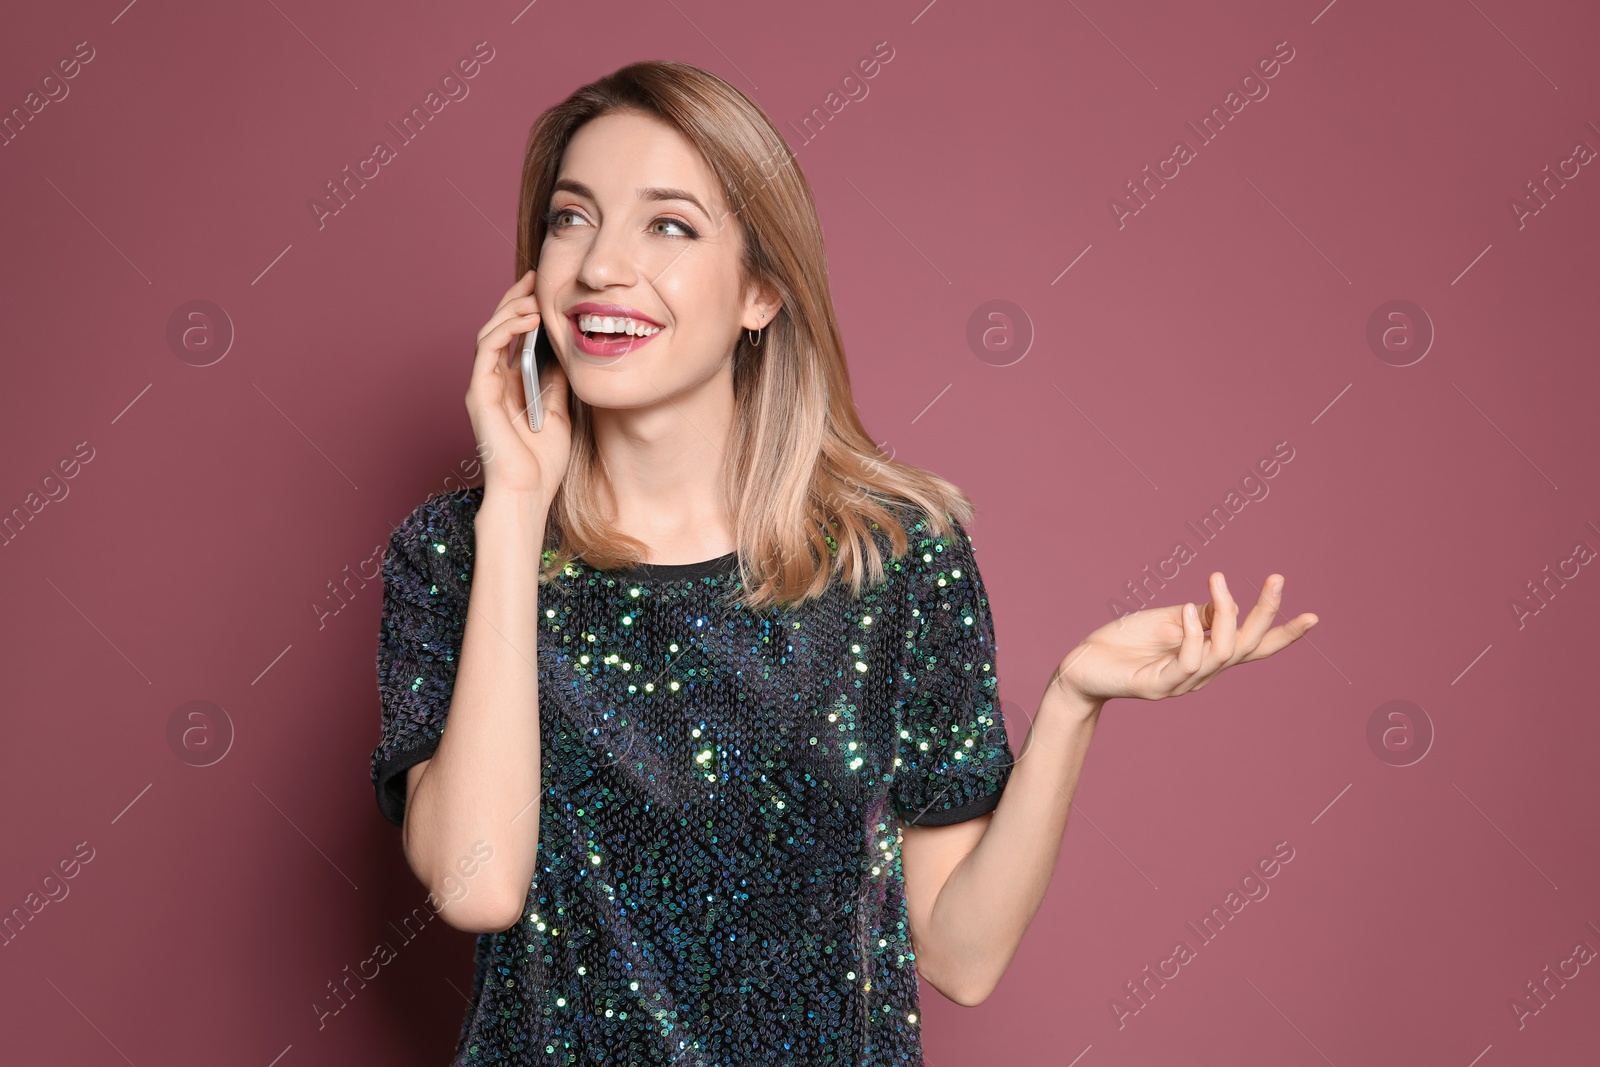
{"points": [[482, 785]]}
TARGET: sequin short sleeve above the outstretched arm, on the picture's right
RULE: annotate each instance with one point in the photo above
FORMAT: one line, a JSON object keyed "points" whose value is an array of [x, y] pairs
{"points": [[954, 759]]}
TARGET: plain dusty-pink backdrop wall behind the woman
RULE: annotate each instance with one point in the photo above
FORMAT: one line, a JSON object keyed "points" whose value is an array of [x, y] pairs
{"points": [[1180, 350]]}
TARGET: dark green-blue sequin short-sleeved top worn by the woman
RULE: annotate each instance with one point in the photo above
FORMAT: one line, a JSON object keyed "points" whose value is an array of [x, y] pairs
{"points": [[719, 876]]}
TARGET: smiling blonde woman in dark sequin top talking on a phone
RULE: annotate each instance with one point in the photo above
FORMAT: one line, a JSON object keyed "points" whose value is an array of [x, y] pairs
{"points": [[692, 709]]}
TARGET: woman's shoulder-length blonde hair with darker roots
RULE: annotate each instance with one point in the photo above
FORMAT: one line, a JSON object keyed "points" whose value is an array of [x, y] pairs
{"points": [[806, 484]]}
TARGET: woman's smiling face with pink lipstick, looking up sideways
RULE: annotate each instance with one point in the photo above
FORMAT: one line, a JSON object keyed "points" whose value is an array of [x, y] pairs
{"points": [[638, 222]]}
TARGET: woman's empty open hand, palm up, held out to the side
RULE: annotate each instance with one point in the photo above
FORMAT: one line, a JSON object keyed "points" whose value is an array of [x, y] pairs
{"points": [[1166, 652]]}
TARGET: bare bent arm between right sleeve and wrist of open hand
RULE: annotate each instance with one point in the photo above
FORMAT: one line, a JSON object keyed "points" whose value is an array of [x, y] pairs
{"points": [[974, 889]]}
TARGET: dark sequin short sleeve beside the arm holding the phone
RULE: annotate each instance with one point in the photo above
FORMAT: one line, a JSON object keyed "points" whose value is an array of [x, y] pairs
{"points": [[428, 573]]}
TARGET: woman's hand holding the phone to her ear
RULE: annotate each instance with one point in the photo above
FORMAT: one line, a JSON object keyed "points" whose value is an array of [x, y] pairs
{"points": [[518, 460]]}
